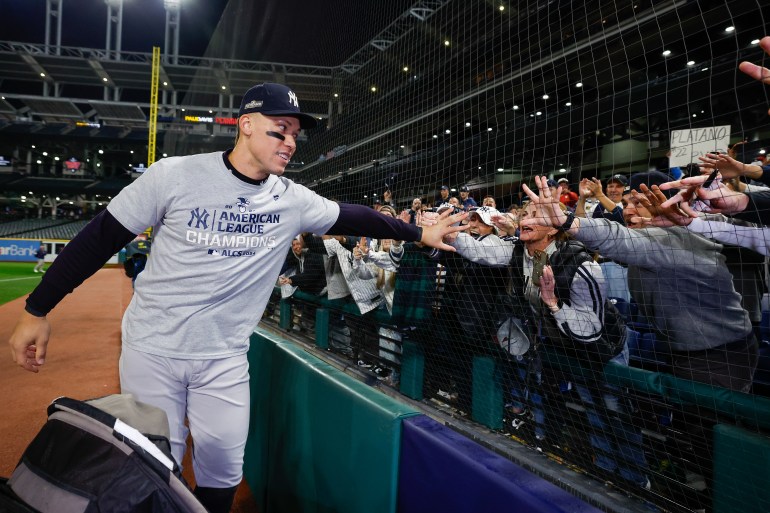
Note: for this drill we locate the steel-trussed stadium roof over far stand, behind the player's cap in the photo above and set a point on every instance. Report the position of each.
(81, 73)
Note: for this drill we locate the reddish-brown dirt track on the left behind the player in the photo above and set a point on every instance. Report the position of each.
(84, 351)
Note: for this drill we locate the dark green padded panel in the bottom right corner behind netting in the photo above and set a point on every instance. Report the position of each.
(741, 471)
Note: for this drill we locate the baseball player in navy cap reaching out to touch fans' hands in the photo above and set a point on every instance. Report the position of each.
(222, 224)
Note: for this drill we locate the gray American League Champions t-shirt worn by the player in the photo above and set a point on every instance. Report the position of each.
(218, 247)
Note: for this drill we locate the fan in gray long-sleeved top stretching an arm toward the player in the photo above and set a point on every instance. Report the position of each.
(681, 283)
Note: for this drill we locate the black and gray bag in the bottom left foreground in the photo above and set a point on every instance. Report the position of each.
(106, 454)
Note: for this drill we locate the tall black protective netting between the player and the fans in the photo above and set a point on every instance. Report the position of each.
(482, 96)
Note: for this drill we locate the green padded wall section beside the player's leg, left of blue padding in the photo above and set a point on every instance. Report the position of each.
(319, 440)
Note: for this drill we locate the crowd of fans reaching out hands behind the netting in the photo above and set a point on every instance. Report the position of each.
(553, 272)
